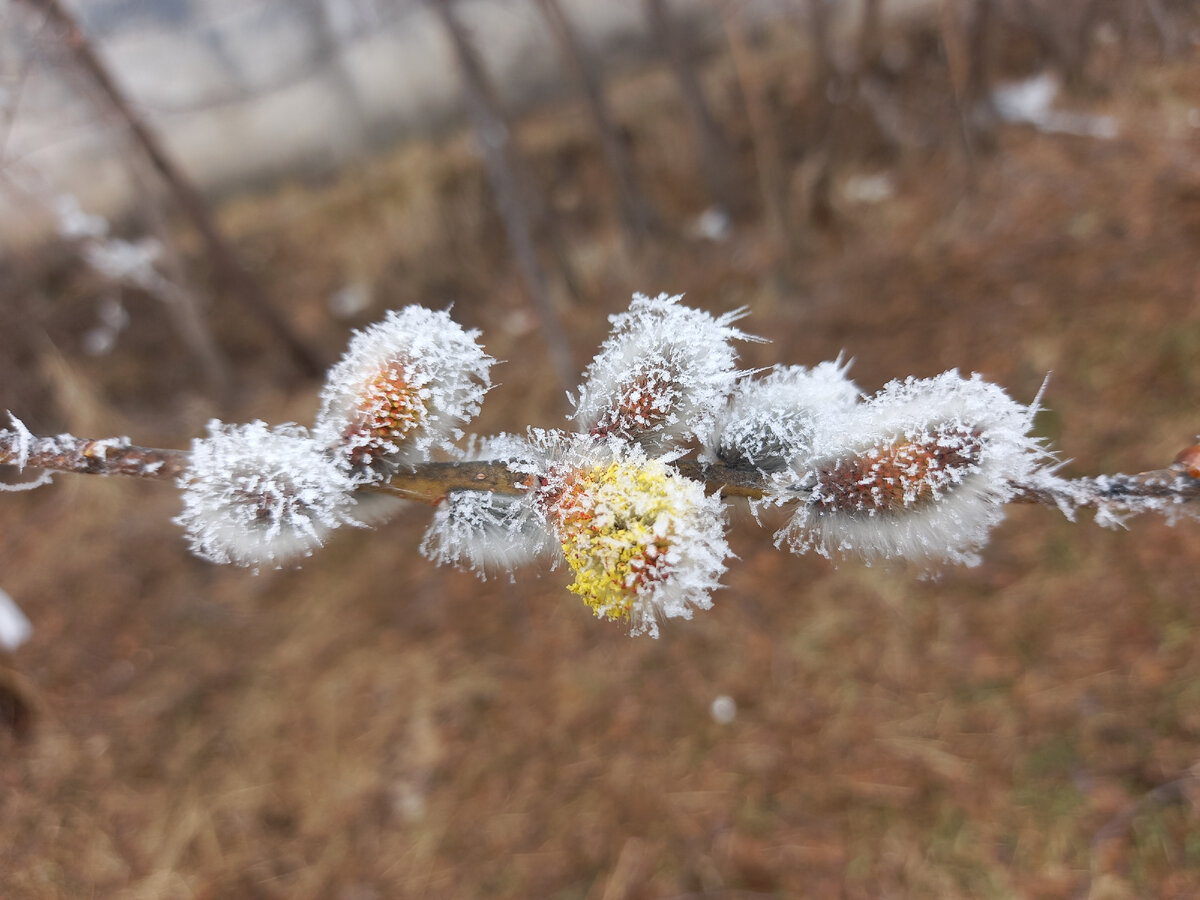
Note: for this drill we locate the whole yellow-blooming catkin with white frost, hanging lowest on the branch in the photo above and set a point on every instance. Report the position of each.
(644, 542)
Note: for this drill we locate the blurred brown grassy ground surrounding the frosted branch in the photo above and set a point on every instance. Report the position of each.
(371, 727)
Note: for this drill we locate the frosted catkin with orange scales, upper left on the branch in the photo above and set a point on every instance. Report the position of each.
(404, 388)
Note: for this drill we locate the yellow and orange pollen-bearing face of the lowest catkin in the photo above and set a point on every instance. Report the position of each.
(616, 524)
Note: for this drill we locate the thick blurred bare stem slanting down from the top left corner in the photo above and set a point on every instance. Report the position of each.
(225, 261)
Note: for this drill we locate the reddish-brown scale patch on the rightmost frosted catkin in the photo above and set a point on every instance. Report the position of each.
(899, 476)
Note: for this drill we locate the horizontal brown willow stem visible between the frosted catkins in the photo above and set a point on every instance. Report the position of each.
(431, 482)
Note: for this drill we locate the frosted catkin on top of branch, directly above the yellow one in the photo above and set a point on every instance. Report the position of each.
(662, 376)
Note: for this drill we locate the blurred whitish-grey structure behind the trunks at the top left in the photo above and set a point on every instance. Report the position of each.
(244, 91)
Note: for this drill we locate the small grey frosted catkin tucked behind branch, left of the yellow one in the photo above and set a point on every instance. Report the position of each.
(489, 532)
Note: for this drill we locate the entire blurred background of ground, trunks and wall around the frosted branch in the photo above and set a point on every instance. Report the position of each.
(201, 200)
